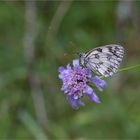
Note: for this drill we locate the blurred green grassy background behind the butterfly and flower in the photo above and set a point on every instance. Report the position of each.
(36, 37)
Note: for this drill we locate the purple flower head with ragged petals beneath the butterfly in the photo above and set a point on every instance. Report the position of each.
(75, 84)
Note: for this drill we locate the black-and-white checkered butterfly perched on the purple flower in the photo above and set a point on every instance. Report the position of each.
(104, 60)
